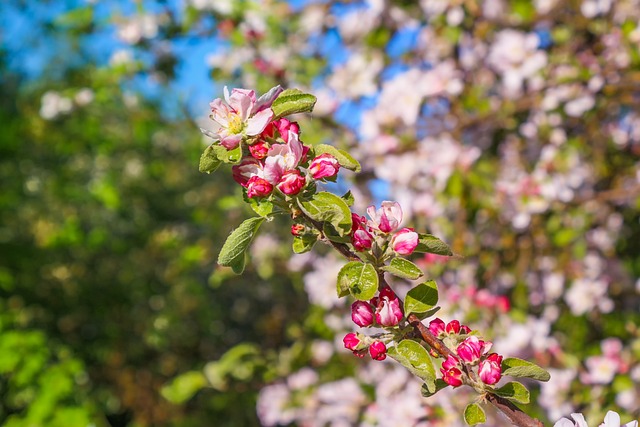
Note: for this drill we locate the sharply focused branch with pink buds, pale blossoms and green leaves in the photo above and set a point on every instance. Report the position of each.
(279, 175)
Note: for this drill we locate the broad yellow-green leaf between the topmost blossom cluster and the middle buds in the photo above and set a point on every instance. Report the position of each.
(328, 207)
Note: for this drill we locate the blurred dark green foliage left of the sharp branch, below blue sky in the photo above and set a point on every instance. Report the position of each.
(108, 235)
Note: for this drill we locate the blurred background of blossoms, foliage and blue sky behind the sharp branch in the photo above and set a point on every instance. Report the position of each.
(510, 129)
